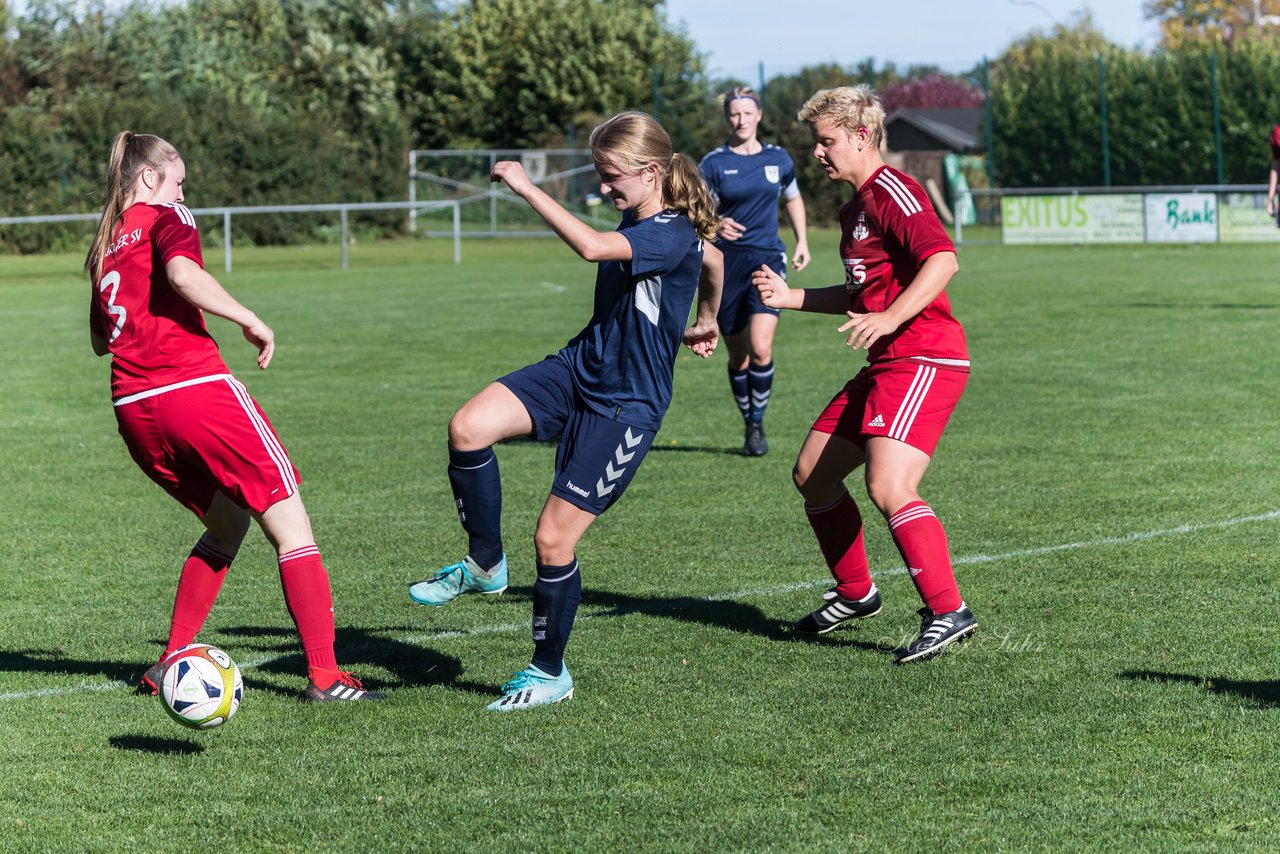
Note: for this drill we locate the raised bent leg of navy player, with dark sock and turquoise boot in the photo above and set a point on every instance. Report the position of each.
(488, 418)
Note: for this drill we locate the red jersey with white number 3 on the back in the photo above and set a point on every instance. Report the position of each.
(157, 339)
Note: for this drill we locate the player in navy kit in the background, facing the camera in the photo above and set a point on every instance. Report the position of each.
(747, 177)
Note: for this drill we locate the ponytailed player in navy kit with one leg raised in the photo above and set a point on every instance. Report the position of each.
(605, 394)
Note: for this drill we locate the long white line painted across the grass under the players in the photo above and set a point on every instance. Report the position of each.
(1139, 537)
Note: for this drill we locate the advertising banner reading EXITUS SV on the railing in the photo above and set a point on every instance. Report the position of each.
(1073, 220)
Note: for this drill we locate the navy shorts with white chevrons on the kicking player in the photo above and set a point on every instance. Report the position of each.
(597, 456)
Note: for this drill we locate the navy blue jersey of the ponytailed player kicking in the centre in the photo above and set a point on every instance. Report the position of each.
(624, 359)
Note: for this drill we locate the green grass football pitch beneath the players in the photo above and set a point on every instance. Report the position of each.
(1109, 486)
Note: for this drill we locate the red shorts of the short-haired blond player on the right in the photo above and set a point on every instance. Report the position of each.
(904, 400)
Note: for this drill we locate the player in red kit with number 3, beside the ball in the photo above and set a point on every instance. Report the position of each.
(188, 423)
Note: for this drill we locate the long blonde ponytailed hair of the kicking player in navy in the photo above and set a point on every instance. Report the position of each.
(636, 141)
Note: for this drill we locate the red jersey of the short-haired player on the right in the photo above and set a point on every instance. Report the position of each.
(889, 231)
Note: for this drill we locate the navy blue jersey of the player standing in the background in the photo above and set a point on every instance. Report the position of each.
(747, 189)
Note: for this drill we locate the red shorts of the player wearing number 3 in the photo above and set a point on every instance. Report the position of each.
(198, 439)
